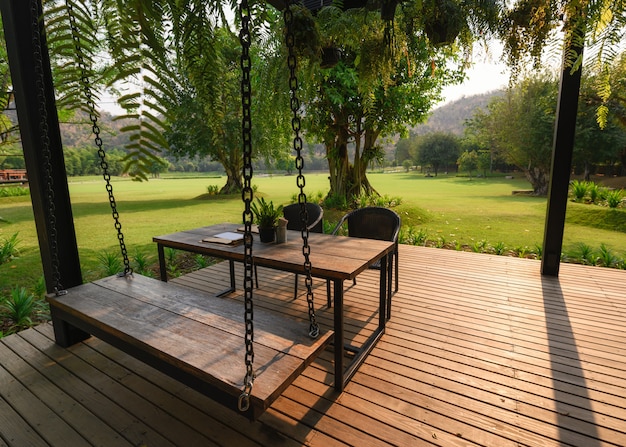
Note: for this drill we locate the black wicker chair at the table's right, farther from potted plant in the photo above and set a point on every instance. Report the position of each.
(375, 223)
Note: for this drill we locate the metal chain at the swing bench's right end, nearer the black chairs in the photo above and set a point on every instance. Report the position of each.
(314, 329)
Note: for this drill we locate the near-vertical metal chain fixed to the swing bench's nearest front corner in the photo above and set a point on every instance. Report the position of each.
(247, 196)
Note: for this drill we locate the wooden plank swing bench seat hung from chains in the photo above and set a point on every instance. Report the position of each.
(193, 337)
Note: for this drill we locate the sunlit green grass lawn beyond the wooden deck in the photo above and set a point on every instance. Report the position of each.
(453, 209)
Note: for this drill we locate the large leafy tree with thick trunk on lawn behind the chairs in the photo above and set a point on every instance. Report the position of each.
(377, 89)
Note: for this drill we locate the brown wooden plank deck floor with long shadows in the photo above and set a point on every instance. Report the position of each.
(480, 350)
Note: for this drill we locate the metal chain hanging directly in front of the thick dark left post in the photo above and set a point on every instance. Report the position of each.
(45, 149)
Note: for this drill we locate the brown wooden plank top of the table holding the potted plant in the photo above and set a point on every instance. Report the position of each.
(332, 257)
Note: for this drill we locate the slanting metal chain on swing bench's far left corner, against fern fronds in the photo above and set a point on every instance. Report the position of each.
(93, 117)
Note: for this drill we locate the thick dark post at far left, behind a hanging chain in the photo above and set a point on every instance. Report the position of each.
(17, 17)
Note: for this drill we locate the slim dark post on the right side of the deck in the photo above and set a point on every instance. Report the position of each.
(562, 150)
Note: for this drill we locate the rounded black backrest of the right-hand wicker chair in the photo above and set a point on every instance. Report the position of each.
(373, 223)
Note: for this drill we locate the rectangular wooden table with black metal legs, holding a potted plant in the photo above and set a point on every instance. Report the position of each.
(334, 258)
